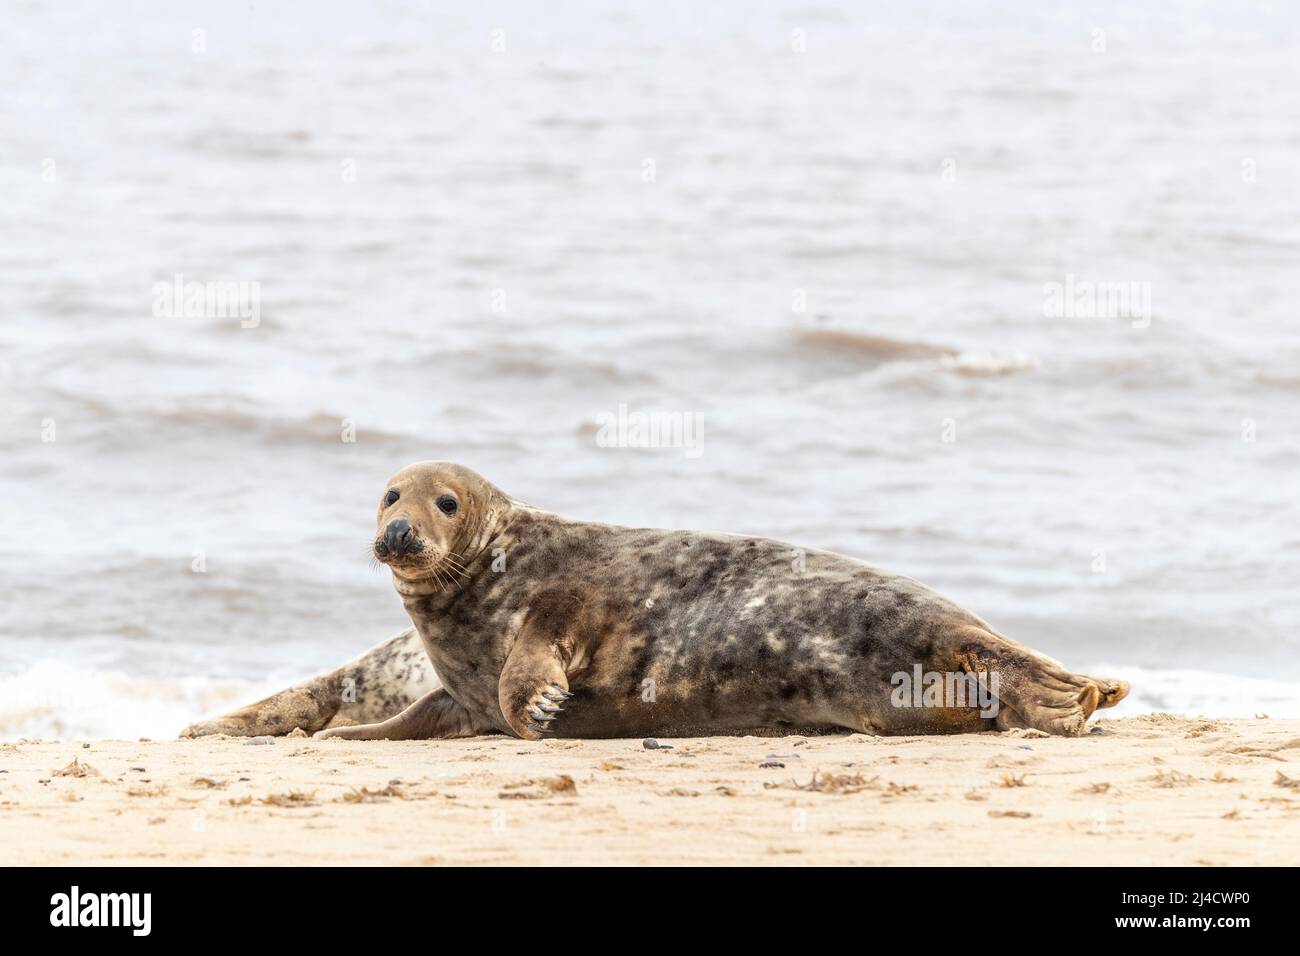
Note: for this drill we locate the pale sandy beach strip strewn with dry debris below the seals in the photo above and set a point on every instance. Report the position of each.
(1149, 790)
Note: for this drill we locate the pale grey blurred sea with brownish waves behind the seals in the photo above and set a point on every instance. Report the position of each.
(825, 230)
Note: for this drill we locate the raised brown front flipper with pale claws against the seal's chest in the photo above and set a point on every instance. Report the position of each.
(534, 685)
